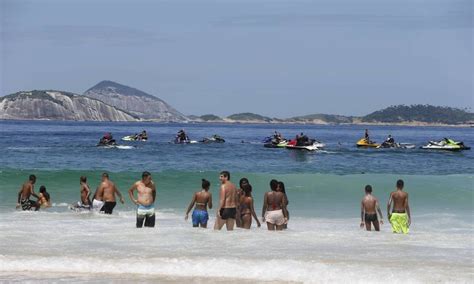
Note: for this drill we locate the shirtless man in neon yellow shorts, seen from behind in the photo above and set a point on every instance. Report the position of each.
(400, 217)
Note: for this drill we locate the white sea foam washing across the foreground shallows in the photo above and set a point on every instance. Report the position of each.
(312, 250)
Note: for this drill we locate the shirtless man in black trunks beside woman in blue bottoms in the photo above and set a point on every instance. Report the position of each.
(228, 203)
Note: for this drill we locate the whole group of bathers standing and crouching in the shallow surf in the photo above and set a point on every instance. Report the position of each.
(235, 205)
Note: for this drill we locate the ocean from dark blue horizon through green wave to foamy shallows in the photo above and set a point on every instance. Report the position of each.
(323, 243)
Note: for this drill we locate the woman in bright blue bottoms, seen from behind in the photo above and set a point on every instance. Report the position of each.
(203, 200)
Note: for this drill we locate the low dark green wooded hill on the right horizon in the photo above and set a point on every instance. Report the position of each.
(420, 113)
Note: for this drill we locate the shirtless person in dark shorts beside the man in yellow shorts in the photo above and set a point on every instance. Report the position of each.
(368, 207)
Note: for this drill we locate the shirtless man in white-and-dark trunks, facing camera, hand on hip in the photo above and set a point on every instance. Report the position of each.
(145, 200)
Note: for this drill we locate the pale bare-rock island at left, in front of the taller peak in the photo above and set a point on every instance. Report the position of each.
(58, 105)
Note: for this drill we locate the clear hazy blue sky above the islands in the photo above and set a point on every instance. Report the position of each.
(275, 58)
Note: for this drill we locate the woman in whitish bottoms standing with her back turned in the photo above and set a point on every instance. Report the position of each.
(273, 211)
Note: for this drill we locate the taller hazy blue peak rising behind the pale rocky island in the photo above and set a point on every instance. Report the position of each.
(137, 102)
